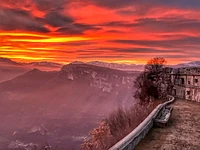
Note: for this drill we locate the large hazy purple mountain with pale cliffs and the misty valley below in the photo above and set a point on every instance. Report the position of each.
(60, 107)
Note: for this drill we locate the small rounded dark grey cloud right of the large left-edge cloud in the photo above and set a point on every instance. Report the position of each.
(58, 20)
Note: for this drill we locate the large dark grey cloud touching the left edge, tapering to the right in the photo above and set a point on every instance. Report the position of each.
(17, 19)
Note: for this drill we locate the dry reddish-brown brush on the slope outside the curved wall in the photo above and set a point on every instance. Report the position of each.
(117, 126)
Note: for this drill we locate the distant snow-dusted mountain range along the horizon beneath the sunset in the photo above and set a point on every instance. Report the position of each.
(10, 69)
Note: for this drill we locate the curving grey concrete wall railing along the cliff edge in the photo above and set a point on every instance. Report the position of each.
(132, 139)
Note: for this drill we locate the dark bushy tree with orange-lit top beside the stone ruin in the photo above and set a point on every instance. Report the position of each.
(148, 83)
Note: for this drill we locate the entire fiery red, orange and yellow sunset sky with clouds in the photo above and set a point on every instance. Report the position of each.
(130, 31)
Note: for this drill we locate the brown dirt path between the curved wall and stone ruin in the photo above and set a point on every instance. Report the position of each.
(182, 132)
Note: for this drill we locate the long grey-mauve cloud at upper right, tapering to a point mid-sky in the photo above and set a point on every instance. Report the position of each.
(159, 25)
